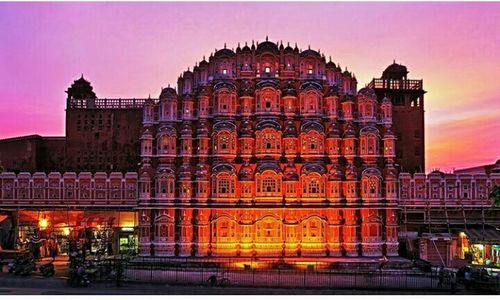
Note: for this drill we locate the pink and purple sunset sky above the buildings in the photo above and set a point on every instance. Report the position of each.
(133, 49)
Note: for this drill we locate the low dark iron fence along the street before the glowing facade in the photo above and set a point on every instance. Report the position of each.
(276, 274)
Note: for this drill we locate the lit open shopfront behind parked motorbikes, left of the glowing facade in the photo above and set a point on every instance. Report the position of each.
(98, 232)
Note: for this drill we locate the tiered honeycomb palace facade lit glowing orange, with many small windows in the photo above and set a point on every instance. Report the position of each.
(267, 151)
